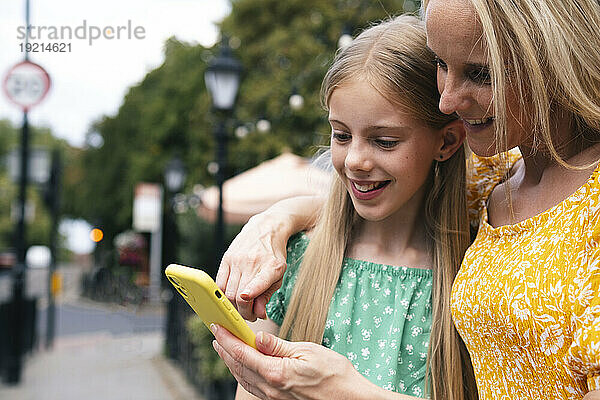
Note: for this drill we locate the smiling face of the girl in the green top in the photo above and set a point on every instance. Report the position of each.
(383, 156)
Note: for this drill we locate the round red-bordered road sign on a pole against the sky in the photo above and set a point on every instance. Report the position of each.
(26, 84)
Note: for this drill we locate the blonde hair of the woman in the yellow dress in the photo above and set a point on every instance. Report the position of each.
(549, 52)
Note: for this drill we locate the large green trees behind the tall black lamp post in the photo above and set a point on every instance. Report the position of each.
(283, 45)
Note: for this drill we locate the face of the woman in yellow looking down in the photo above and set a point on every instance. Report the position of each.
(456, 37)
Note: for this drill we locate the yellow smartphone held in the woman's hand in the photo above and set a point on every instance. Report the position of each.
(208, 301)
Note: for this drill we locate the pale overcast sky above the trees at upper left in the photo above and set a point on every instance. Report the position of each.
(91, 80)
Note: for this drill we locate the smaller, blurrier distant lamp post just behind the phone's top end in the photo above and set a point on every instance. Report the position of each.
(174, 176)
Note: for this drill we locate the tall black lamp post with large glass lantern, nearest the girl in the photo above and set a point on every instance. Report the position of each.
(222, 79)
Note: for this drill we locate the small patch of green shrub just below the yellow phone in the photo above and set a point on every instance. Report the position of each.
(209, 366)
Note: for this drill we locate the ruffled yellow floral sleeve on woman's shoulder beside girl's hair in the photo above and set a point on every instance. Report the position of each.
(485, 173)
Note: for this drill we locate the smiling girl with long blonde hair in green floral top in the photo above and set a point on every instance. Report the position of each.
(372, 280)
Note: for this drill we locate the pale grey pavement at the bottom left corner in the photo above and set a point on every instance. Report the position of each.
(102, 367)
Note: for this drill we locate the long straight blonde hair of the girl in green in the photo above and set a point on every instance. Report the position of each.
(393, 57)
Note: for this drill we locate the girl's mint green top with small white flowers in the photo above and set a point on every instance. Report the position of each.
(379, 318)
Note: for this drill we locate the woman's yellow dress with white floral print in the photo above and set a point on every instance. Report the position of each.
(526, 300)
